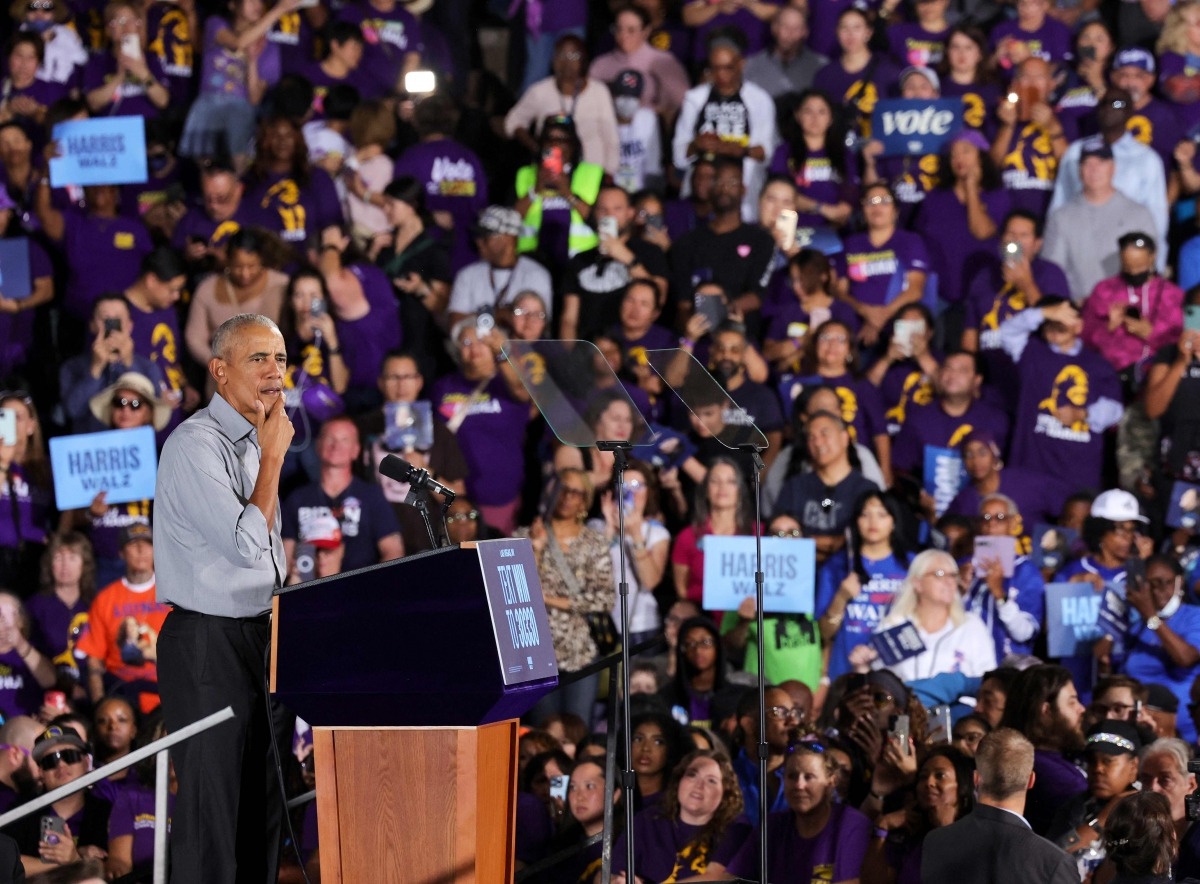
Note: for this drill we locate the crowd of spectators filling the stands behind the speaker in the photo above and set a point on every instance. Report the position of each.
(991, 347)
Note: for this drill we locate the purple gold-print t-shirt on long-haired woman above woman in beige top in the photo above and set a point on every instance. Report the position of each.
(292, 211)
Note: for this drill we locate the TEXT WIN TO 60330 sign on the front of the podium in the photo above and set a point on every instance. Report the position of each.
(519, 614)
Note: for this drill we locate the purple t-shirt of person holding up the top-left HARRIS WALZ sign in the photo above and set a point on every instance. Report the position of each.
(104, 255)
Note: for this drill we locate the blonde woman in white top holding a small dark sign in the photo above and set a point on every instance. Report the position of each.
(955, 640)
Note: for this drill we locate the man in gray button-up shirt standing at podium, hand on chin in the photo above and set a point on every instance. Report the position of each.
(219, 557)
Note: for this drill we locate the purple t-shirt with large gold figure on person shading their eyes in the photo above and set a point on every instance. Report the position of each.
(1048, 381)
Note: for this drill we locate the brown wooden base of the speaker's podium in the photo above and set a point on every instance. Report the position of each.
(417, 805)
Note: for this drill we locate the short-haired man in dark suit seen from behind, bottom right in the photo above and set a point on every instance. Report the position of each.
(994, 844)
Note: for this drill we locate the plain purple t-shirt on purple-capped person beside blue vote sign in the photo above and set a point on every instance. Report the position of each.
(955, 252)
